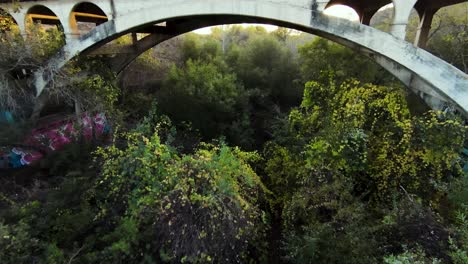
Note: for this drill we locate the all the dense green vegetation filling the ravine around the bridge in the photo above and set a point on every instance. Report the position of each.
(243, 146)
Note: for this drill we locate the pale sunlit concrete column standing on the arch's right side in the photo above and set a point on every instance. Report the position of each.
(402, 10)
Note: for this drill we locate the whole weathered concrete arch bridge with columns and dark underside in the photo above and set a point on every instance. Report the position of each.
(436, 81)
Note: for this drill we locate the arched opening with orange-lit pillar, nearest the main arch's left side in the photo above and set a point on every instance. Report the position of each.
(86, 16)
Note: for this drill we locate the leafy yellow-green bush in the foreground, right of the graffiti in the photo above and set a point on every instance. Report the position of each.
(200, 207)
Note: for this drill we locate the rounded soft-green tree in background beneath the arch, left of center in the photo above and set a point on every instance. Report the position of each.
(209, 97)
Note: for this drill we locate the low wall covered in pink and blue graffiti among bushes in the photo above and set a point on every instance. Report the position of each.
(53, 136)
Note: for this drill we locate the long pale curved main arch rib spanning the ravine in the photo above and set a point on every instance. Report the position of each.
(415, 67)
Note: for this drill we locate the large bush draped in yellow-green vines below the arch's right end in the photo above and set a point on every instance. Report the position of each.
(358, 152)
